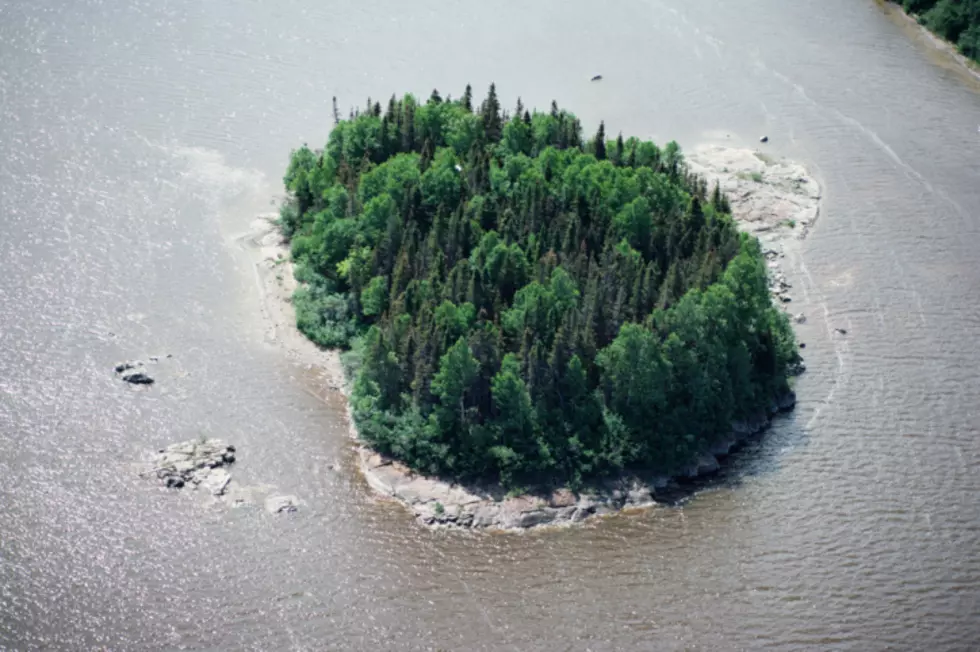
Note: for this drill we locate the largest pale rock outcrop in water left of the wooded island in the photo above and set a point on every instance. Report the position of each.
(198, 463)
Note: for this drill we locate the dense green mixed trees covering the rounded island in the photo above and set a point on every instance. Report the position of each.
(523, 305)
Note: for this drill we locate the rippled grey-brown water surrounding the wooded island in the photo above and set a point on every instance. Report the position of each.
(138, 140)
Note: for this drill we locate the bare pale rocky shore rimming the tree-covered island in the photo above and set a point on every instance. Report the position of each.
(776, 200)
